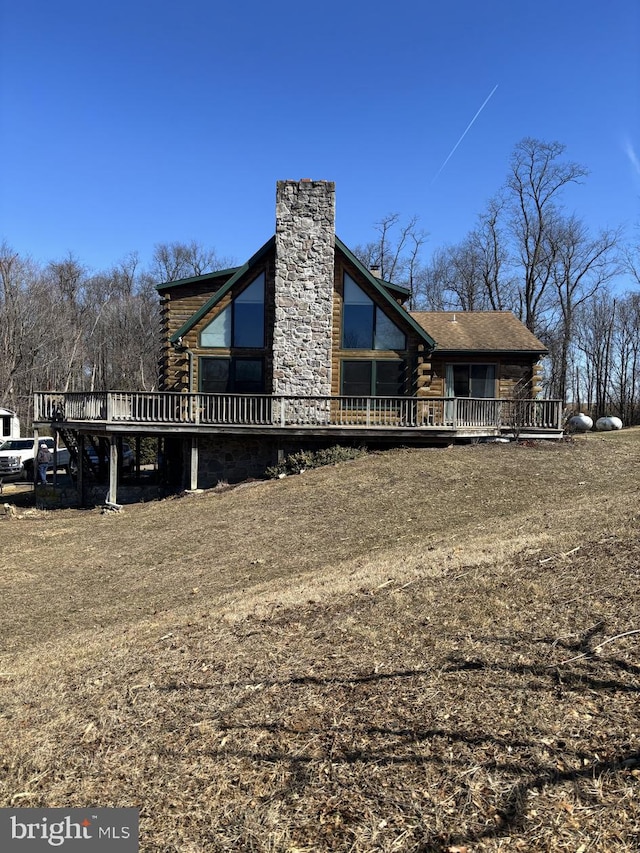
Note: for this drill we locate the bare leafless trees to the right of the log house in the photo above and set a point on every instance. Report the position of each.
(528, 255)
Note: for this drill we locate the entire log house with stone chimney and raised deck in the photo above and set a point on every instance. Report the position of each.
(303, 347)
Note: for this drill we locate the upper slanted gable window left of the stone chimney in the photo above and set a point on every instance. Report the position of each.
(240, 324)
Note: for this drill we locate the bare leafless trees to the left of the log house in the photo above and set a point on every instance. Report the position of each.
(65, 328)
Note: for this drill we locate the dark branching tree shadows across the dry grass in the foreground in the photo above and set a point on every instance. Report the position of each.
(416, 746)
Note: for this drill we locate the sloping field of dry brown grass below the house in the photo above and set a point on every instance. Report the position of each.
(419, 650)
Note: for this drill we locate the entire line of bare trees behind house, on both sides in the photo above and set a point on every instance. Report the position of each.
(66, 328)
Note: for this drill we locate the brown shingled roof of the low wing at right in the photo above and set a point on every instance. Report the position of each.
(479, 331)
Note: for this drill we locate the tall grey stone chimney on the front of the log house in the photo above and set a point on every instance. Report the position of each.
(305, 241)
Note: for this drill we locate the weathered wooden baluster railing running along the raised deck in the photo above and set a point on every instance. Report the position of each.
(262, 410)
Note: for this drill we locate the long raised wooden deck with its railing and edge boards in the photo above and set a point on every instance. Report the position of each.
(403, 418)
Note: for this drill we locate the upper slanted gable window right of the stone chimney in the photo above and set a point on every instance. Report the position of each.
(365, 325)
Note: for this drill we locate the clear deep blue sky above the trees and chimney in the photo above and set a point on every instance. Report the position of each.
(130, 122)
